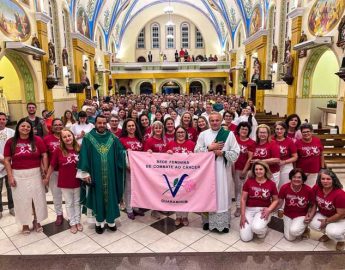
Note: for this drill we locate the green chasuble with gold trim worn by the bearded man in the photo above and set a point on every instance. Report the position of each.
(103, 157)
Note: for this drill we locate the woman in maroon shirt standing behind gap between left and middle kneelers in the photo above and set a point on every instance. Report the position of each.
(287, 150)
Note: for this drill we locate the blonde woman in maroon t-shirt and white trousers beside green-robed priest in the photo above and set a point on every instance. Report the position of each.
(65, 160)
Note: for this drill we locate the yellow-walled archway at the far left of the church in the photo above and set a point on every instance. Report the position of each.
(17, 84)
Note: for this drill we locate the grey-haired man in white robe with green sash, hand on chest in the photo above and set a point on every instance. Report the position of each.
(226, 150)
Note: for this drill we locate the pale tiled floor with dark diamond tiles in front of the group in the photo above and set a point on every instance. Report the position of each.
(144, 235)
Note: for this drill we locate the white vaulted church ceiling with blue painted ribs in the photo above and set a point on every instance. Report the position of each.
(114, 17)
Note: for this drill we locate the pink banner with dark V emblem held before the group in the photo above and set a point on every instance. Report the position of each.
(177, 182)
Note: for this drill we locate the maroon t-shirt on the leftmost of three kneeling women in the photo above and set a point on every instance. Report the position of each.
(259, 195)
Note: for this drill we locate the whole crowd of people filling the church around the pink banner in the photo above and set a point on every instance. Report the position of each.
(279, 171)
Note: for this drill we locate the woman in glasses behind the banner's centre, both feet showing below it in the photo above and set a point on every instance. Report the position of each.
(181, 144)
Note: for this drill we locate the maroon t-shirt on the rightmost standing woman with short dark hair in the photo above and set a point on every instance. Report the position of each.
(309, 155)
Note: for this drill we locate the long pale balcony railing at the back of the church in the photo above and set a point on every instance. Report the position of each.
(170, 67)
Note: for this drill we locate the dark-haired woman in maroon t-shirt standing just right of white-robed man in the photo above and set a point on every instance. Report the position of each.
(242, 164)
